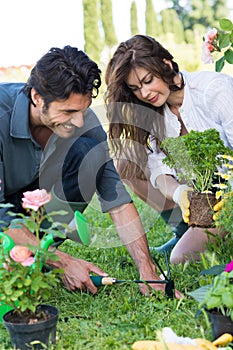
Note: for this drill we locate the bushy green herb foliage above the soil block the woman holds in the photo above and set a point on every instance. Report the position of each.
(195, 157)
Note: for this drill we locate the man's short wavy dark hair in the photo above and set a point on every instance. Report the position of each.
(61, 72)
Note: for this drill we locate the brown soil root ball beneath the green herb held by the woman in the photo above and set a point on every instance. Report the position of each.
(201, 209)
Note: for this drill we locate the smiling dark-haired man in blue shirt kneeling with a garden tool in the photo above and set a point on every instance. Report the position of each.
(50, 138)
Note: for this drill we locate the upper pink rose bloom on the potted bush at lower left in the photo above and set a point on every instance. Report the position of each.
(35, 199)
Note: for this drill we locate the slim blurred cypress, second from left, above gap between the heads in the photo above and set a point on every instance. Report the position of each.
(107, 22)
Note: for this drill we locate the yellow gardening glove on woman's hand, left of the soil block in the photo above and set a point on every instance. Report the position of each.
(180, 197)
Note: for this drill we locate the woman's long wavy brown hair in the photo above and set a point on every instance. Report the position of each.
(131, 121)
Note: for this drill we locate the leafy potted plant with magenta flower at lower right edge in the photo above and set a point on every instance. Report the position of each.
(217, 299)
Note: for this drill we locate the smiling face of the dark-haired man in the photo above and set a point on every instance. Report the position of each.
(62, 117)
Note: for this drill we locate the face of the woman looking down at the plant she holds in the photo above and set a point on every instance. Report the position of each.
(147, 87)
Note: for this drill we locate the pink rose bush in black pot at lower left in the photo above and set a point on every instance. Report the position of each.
(25, 284)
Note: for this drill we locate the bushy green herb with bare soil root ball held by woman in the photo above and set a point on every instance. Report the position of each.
(195, 156)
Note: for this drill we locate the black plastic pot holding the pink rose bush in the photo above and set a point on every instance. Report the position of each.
(24, 335)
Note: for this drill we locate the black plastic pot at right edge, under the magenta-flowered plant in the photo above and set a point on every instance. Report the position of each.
(220, 324)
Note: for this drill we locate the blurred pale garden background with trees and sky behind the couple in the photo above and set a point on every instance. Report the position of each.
(97, 27)
